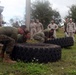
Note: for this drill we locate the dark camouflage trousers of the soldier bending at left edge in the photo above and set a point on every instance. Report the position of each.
(8, 44)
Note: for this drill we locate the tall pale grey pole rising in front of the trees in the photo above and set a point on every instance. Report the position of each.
(28, 13)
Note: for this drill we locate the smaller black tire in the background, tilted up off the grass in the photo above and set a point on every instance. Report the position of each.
(63, 42)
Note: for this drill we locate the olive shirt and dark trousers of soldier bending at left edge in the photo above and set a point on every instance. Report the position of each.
(7, 36)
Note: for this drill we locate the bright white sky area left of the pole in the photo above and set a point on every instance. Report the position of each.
(13, 8)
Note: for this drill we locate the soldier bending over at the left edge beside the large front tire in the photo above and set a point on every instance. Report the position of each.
(8, 37)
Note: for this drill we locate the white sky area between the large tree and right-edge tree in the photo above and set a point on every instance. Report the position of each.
(62, 6)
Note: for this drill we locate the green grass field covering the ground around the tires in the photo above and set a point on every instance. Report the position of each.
(66, 66)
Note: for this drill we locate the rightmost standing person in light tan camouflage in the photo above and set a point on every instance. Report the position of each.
(71, 28)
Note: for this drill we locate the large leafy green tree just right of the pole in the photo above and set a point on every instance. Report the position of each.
(43, 11)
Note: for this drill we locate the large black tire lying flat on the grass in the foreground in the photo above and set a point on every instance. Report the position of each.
(42, 53)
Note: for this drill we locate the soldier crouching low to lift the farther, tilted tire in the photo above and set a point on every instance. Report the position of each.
(42, 36)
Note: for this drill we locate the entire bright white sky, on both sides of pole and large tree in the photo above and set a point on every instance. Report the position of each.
(16, 8)
